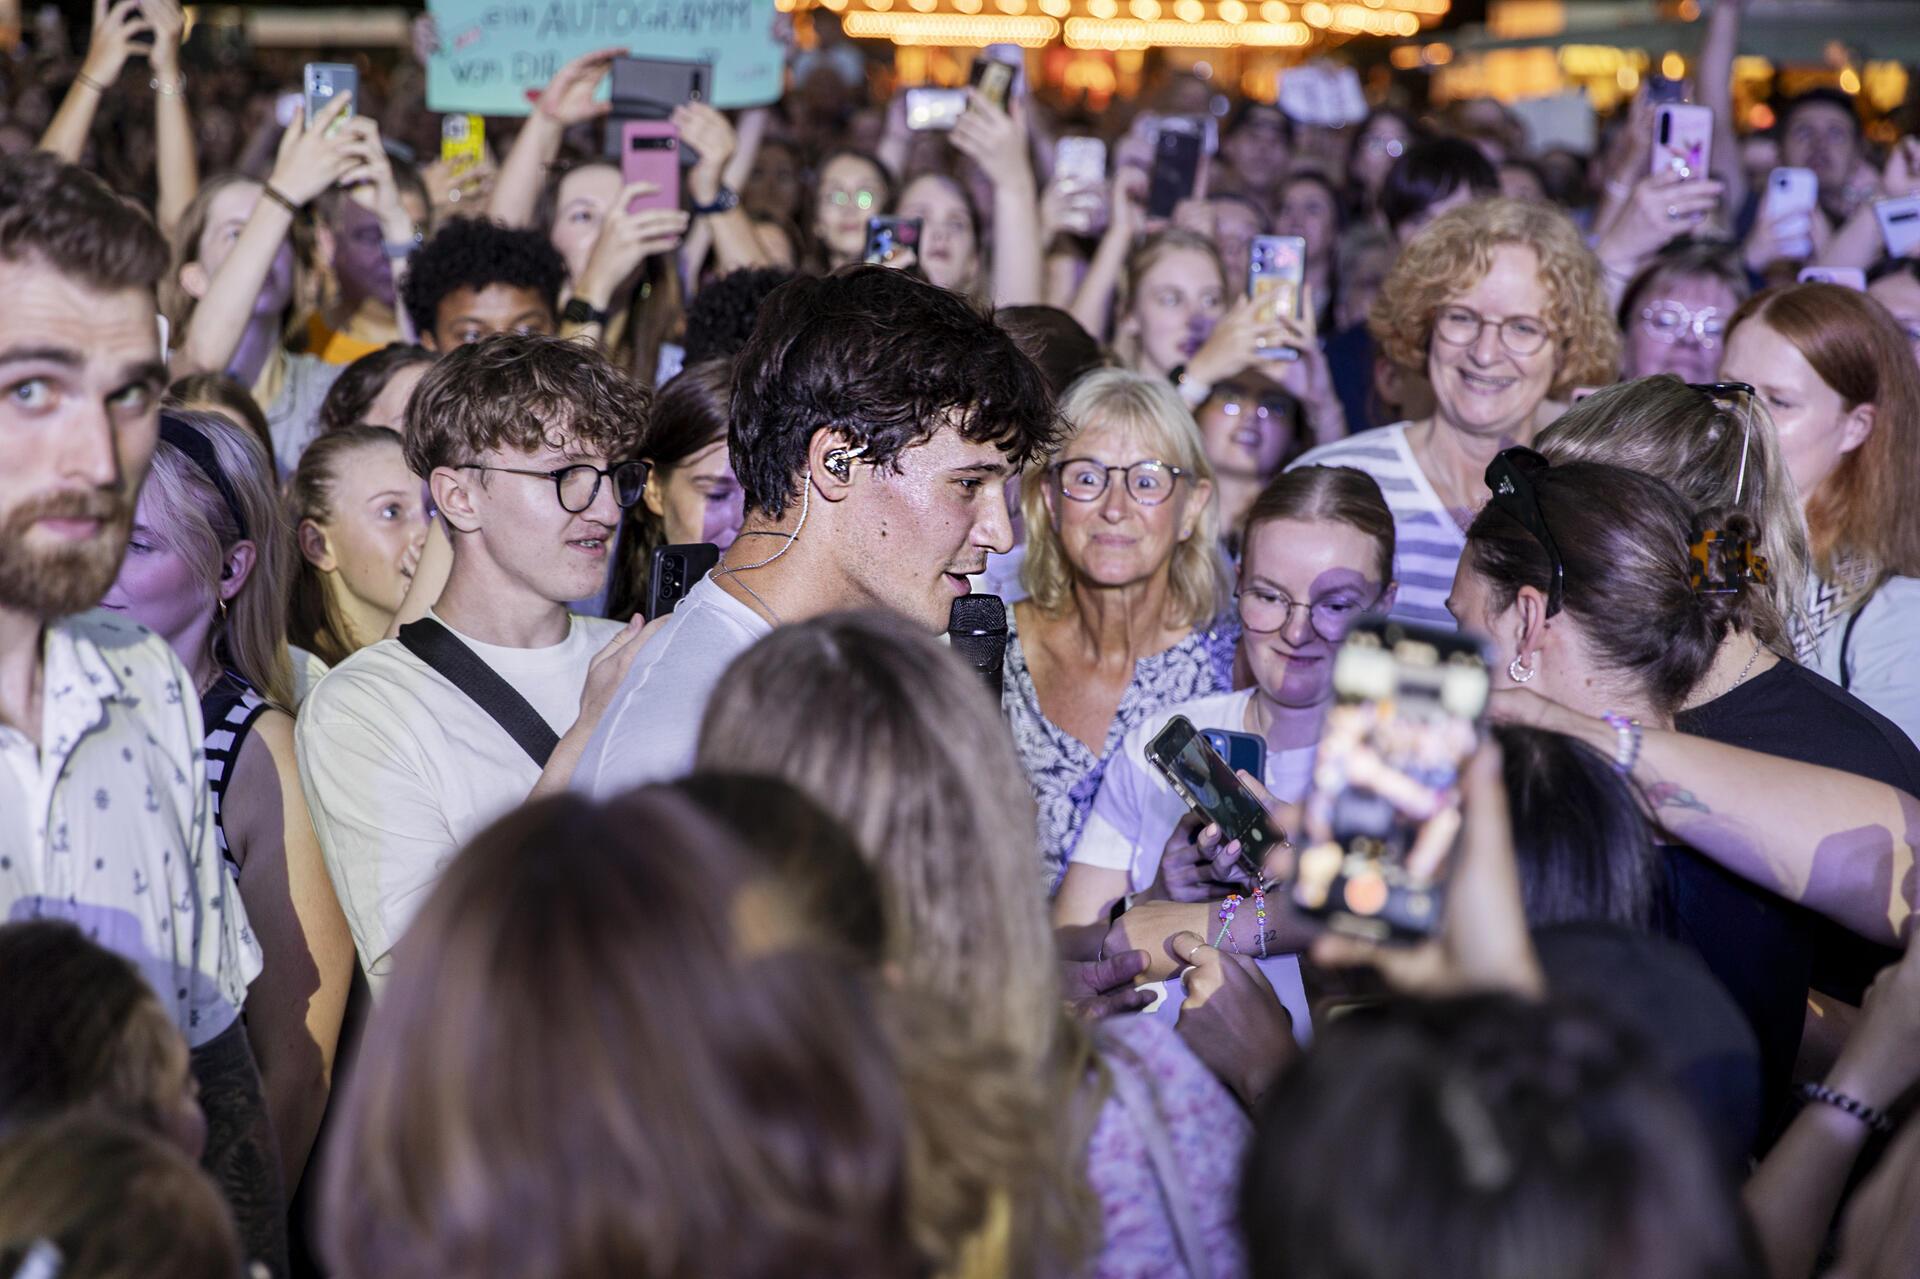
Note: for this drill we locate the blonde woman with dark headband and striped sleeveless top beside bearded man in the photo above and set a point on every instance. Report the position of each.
(208, 569)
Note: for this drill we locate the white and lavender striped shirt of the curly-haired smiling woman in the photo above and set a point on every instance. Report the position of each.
(1428, 541)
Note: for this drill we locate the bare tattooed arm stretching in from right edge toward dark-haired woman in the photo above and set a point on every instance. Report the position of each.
(1835, 842)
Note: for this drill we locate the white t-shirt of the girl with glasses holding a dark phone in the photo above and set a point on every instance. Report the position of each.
(1136, 813)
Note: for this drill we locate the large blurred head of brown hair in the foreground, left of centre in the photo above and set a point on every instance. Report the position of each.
(610, 1051)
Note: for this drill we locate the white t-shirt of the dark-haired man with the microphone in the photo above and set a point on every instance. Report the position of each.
(654, 725)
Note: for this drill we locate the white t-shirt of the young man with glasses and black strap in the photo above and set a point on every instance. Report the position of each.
(402, 769)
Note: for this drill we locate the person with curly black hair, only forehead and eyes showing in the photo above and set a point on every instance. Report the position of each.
(475, 279)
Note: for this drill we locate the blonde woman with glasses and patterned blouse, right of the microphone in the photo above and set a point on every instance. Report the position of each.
(1126, 604)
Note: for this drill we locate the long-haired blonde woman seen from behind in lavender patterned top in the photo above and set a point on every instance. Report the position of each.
(890, 735)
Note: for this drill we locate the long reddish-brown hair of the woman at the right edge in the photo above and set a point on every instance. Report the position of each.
(1863, 512)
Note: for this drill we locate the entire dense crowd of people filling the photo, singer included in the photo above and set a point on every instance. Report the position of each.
(418, 863)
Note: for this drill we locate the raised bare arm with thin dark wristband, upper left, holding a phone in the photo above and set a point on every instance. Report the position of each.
(310, 162)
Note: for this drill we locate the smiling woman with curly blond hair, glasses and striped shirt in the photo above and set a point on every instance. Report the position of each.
(1502, 308)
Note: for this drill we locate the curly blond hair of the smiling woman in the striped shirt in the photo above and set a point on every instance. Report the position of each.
(1458, 249)
